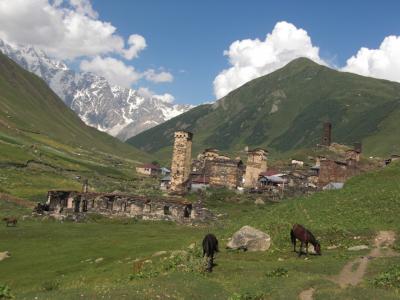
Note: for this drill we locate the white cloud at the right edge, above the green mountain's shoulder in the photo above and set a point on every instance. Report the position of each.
(381, 63)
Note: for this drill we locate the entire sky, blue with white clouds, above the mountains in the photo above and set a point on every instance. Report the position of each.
(198, 51)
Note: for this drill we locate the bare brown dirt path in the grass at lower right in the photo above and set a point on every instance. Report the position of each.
(354, 271)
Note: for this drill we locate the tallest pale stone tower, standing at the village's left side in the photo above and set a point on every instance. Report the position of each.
(181, 161)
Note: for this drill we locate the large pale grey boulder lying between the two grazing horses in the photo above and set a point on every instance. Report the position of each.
(250, 239)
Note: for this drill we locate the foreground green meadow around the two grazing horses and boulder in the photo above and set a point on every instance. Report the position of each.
(58, 260)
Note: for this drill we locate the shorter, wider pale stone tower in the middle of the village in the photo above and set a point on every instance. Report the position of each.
(256, 163)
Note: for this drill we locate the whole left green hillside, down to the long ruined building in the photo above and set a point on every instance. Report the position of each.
(44, 145)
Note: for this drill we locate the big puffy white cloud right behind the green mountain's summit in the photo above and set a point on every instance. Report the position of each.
(250, 59)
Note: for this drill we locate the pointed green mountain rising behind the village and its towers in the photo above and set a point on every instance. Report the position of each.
(285, 110)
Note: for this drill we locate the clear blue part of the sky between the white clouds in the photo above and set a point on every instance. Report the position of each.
(188, 38)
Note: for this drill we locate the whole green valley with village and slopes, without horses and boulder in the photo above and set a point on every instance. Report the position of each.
(129, 244)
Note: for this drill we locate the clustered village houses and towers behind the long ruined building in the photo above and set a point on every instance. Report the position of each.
(212, 169)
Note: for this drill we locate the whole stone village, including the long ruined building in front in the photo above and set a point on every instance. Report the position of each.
(210, 169)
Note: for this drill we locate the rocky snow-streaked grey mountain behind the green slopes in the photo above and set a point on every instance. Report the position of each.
(119, 111)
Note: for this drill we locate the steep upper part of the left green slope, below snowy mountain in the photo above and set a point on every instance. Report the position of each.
(28, 104)
